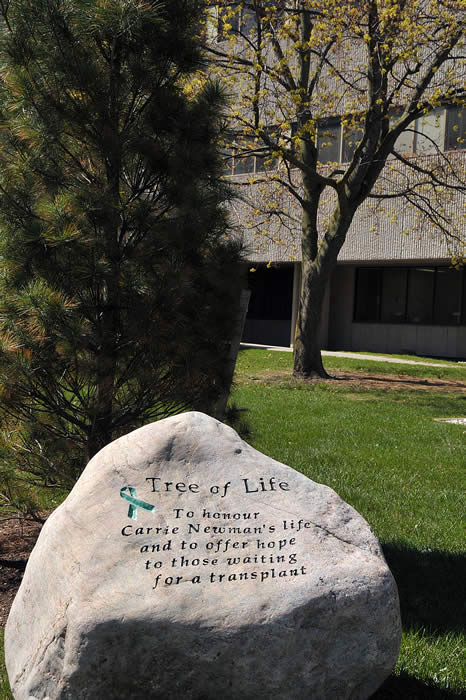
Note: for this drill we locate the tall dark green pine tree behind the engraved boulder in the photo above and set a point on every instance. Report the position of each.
(116, 280)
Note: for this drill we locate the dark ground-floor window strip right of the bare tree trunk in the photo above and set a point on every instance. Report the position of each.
(416, 295)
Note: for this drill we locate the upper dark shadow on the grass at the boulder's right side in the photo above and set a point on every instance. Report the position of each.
(430, 585)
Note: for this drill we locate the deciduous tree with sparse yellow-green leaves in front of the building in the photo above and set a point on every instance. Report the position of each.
(377, 68)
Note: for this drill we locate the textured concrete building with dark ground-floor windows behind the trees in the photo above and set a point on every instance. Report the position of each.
(396, 286)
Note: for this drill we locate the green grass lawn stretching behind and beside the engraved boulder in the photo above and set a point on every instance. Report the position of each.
(382, 451)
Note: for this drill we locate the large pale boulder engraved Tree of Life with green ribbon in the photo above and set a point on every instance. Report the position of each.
(88, 622)
